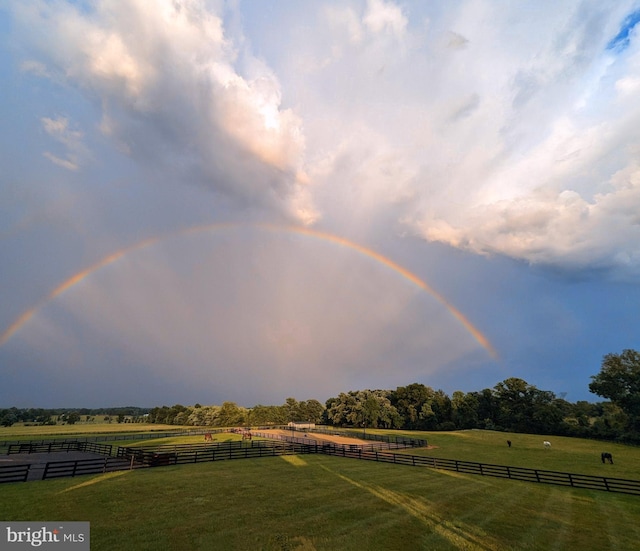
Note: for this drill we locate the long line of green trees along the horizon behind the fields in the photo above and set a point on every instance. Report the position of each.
(511, 405)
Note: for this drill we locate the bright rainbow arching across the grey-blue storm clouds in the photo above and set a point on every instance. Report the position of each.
(332, 238)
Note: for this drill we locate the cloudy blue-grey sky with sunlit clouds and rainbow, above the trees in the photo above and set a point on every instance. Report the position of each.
(204, 201)
